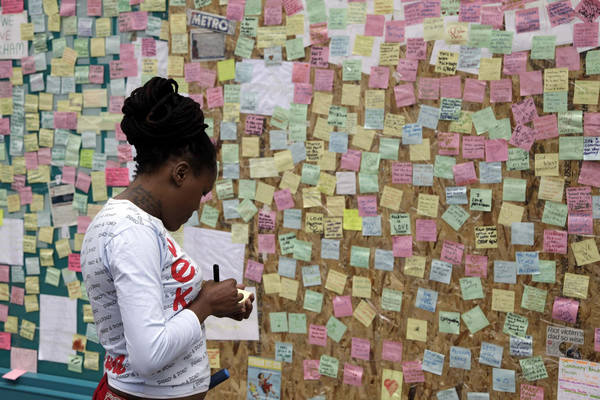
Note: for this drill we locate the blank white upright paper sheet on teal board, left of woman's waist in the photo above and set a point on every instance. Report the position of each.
(58, 323)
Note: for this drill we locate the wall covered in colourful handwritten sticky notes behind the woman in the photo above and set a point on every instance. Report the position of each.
(416, 183)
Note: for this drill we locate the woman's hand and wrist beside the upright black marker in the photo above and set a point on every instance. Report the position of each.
(220, 299)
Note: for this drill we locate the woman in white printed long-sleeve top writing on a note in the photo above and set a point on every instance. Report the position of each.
(147, 294)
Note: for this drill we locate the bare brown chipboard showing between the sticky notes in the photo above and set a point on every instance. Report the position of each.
(392, 325)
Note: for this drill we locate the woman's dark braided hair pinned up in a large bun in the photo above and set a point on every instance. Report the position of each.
(161, 123)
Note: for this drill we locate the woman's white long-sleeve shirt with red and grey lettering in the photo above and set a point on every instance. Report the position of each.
(139, 281)
